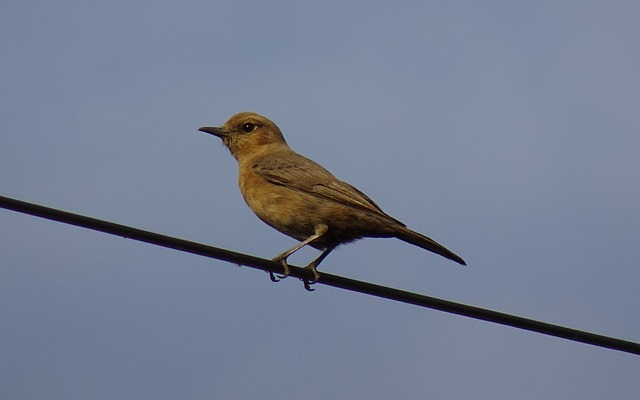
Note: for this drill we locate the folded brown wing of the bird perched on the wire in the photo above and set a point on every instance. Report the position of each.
(300, 173)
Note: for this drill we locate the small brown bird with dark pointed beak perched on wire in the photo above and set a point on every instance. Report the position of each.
(301, 199)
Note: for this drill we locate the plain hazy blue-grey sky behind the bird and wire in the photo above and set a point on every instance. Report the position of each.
(508, 131)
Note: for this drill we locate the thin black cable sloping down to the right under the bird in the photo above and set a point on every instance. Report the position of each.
(327, 279)
